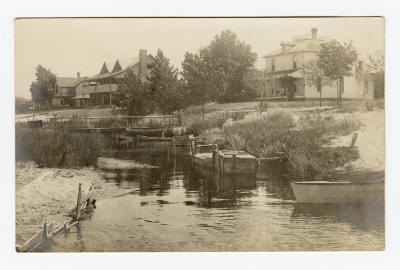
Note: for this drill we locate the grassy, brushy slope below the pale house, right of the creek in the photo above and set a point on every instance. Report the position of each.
(305, 137)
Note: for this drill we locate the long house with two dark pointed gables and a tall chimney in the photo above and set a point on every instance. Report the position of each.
(98, 89)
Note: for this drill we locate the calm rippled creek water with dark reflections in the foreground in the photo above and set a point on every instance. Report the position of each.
(171, 208)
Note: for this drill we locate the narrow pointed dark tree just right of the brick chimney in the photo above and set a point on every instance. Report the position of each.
(164, 85)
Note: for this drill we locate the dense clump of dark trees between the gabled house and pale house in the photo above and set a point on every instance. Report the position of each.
(220, 72)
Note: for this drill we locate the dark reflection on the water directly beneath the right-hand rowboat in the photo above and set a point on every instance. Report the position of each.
(365, 217)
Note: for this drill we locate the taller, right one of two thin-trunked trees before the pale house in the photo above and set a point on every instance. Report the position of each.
(336, 60)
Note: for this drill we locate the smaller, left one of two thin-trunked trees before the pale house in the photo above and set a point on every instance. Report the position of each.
(315, 77)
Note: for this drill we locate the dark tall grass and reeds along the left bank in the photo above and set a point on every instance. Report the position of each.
(57, 147)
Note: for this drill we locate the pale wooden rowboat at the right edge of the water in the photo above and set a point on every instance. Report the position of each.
(340, 192)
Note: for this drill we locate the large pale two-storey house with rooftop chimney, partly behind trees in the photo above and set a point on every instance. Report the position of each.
(284, 69)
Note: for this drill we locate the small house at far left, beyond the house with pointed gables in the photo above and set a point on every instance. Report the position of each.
(65, 90)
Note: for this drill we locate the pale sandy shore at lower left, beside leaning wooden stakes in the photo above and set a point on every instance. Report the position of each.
(46, 195)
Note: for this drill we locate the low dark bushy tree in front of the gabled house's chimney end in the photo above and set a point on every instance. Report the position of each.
(133, 95)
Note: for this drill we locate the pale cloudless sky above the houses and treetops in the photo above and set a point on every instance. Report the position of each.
(71, 45)
